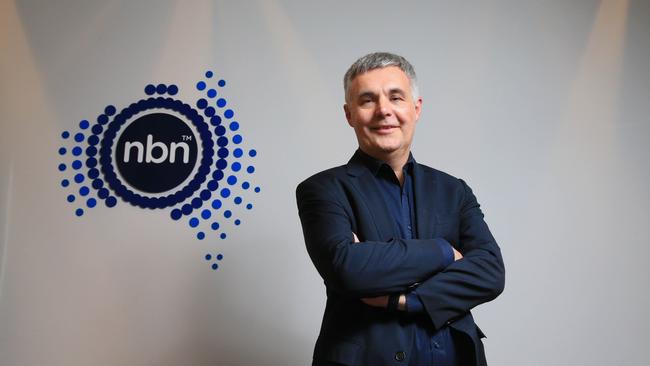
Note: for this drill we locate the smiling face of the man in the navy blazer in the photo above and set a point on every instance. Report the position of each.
(382, 111)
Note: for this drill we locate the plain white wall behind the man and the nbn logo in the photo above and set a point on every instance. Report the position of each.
(540, 105)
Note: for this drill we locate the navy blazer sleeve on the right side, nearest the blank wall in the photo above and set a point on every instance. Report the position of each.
(477, 278)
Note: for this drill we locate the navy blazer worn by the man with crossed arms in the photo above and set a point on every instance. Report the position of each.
(340, 201)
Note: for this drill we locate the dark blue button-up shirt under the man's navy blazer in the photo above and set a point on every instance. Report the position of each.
(432, 347)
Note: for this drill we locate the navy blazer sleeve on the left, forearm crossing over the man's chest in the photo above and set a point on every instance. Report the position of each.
(369, 268)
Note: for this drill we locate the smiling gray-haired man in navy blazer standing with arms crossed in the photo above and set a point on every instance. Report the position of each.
(403, 248)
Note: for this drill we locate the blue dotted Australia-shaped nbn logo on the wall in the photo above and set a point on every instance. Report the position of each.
(162, 153)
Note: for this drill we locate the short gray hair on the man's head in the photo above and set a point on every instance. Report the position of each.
(378, 60)
